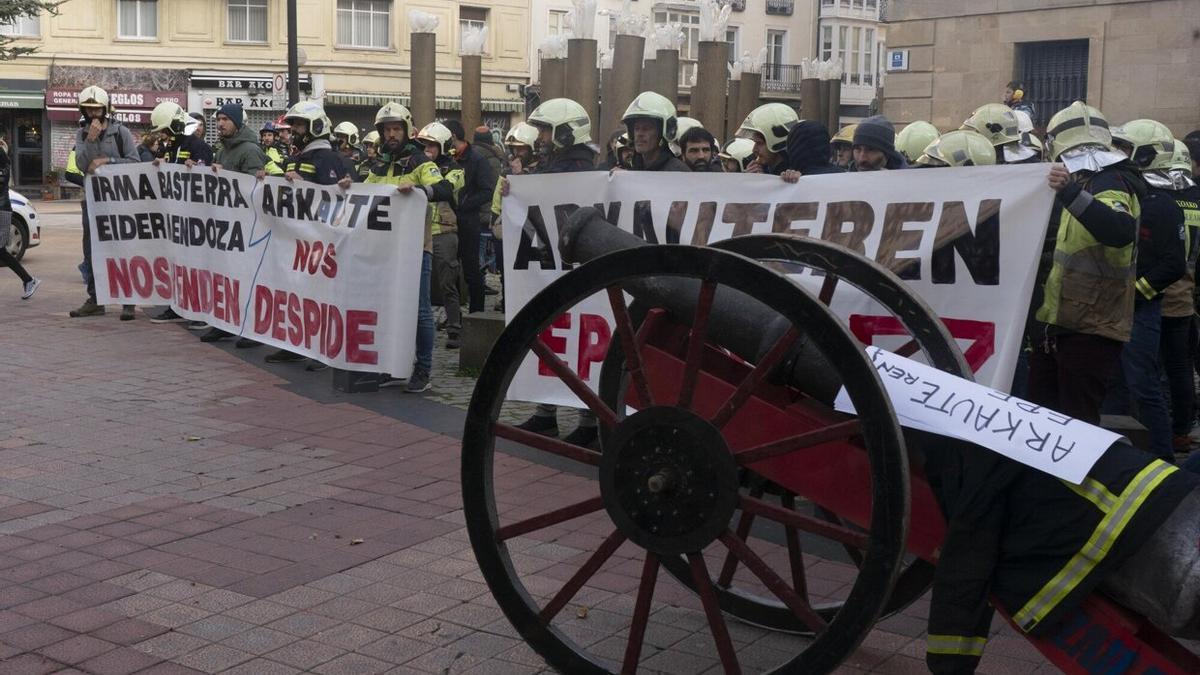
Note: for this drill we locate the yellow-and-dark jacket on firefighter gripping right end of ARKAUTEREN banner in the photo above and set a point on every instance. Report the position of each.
(1091, 280)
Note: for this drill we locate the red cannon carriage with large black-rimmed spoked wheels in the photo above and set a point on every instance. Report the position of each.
(723, 467)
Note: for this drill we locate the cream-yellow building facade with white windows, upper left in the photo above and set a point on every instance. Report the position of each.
(205, 53)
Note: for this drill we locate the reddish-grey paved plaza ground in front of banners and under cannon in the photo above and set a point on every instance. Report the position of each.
(170, 507)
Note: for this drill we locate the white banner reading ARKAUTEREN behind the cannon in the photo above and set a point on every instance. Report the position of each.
(967, 240)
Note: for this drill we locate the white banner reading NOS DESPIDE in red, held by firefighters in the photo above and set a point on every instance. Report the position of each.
(314, 270)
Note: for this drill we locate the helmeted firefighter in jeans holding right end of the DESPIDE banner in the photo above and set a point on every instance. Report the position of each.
(404, 164)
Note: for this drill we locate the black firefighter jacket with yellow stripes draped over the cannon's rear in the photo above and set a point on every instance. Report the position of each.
(1036, 545)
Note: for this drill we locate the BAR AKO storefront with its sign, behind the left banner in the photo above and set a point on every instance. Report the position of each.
(254, 92)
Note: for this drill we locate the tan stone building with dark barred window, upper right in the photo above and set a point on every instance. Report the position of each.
(1131, 59)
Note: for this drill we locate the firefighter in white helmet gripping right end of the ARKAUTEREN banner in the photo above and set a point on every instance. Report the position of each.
(1085, 284)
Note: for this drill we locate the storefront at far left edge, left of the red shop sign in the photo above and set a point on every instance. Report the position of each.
(23, 126)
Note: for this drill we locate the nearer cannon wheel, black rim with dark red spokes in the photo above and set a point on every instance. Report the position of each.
(686, 525)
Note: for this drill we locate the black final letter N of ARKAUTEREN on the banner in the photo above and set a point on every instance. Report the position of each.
(980, 249)
